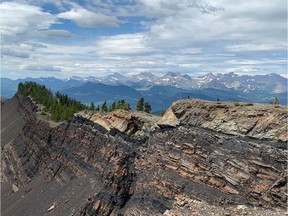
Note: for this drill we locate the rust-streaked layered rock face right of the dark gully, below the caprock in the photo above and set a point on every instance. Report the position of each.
(217, 167)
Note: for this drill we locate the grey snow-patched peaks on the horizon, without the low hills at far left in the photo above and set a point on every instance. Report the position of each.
(272, 83)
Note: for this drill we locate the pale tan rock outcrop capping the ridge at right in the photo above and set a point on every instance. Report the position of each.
(262, 121)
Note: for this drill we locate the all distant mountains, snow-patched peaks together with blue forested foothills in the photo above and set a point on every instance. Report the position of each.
(161, 91)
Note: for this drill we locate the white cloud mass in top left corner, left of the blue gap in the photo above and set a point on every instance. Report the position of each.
(21, 27)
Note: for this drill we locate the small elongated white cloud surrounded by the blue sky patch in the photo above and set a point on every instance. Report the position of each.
(88, 19)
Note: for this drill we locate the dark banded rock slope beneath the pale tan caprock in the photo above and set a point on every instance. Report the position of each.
(127, 176)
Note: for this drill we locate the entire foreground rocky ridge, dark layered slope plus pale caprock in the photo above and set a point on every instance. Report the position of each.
(129, 163)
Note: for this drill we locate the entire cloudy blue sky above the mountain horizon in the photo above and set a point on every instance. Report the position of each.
(64, 38)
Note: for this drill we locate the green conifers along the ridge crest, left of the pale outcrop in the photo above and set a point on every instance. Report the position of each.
(63, 107)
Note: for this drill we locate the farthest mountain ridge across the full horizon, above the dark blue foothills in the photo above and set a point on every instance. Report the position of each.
(229, 80)
